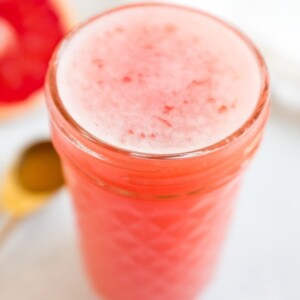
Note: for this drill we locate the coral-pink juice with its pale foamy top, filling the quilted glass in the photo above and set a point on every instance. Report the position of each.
(154, 79)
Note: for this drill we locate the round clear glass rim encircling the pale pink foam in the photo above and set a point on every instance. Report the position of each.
(243, 129)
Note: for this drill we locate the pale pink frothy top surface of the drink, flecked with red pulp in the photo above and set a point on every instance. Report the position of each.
(158, 79)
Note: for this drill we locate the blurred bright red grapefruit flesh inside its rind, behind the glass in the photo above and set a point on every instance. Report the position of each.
(29, 32)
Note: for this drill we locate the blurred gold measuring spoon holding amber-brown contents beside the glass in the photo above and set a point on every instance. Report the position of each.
(29, 184)
